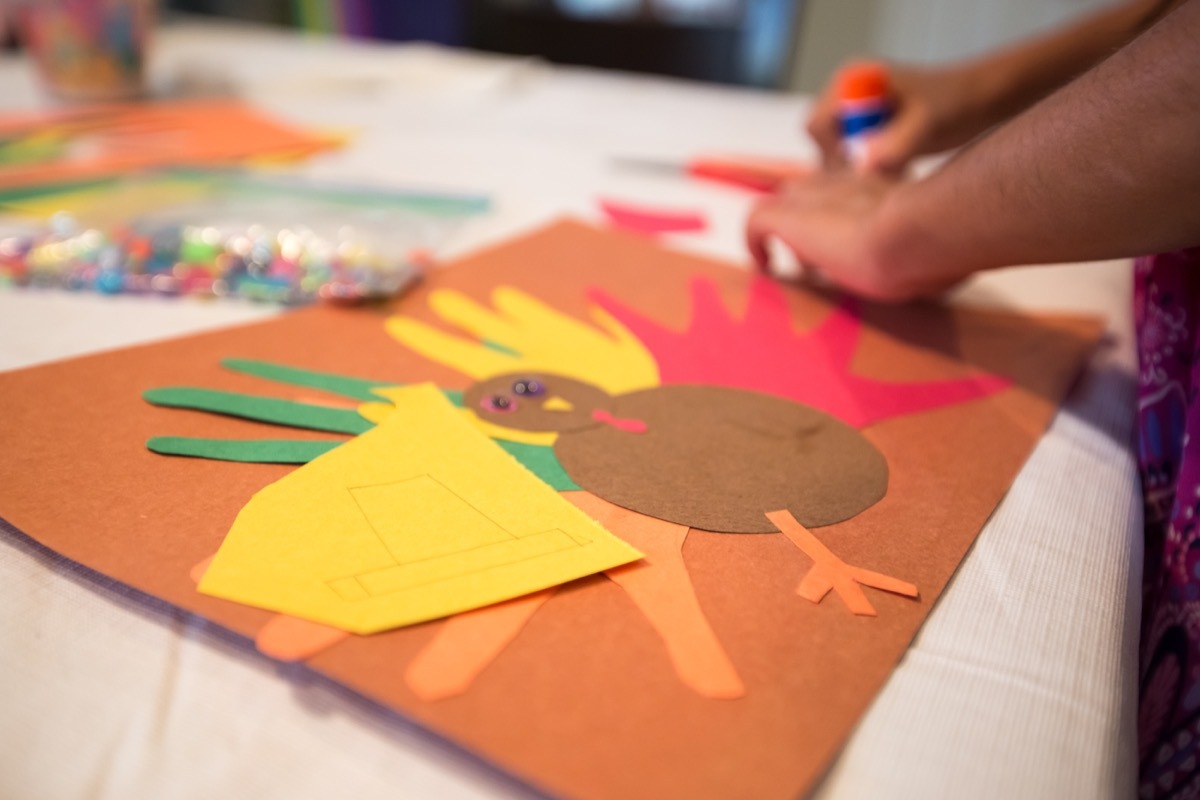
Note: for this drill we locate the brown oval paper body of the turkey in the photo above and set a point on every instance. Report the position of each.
(741, 454)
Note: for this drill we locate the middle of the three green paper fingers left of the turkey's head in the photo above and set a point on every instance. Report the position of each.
(262, 410)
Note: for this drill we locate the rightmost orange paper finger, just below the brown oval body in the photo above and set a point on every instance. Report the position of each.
(663, 591)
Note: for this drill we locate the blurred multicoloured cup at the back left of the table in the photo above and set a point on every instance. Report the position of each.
(91, 51)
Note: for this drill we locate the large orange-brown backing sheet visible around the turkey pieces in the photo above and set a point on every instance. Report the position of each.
(585, 701)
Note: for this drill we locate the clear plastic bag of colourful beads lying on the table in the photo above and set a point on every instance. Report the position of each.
(187, 233)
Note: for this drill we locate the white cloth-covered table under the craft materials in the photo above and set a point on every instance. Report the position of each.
(1022, 683)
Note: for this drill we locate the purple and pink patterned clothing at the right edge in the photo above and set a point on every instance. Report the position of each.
(1167, 312)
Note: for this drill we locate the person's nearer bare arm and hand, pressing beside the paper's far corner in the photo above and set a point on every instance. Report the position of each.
(1107, 167)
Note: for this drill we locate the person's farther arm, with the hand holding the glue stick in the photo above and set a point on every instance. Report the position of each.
(938, 109)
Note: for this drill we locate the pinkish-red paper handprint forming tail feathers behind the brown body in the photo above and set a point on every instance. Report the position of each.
(761, 352)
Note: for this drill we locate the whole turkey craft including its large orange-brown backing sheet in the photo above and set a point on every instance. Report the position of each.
(784, 464)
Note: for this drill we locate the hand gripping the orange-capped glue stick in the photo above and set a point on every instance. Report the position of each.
(933, 110)
